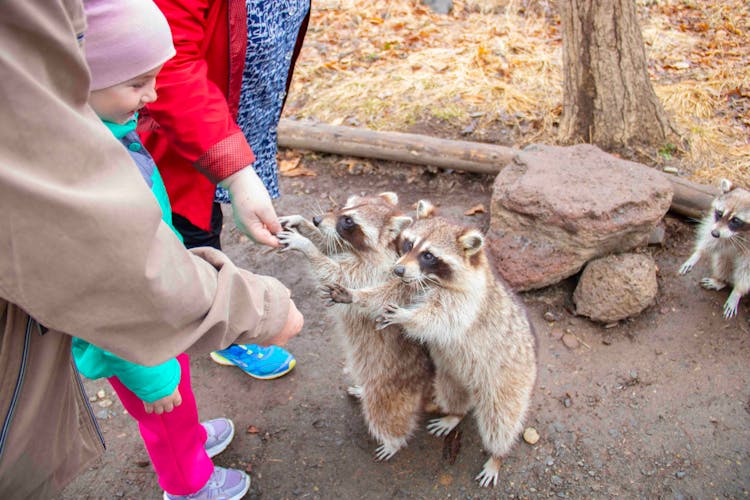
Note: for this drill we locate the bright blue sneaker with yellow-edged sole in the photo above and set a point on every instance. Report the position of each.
(259, 362)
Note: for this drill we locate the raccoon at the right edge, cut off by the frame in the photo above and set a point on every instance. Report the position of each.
(722, 236)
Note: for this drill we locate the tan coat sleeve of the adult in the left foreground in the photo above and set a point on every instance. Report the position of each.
(82, 245)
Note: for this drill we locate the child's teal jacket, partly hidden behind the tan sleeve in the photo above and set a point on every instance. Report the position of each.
(149, 383)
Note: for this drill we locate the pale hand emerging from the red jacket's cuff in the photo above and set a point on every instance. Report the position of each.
(253, 211)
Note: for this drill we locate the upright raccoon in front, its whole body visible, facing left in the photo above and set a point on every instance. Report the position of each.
(446, 295)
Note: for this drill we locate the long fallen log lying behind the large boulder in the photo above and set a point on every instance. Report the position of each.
(689, 199)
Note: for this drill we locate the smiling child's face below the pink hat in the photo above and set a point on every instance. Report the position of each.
(119, 102)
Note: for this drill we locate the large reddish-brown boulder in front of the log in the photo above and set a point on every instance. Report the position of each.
(555, 208)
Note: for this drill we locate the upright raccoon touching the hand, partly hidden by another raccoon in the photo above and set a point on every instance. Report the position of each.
(355, 246)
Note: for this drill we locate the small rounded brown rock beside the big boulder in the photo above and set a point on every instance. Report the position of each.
(616, 287)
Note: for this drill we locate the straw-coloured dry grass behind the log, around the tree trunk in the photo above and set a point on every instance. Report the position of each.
(495, 65)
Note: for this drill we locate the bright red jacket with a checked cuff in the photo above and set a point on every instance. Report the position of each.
(190, 130)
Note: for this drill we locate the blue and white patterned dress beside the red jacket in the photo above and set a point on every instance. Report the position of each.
(272, 29)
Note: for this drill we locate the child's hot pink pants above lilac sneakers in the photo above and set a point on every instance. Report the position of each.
(175, 441)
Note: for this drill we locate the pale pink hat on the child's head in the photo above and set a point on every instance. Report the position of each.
(124, 39)
